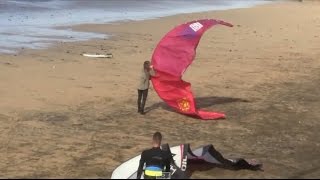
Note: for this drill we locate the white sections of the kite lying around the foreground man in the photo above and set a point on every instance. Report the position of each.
(128, 169)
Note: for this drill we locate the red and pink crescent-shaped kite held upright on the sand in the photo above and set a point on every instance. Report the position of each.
(172, 56)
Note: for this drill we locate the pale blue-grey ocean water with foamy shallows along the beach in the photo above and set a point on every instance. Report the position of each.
(33, 23)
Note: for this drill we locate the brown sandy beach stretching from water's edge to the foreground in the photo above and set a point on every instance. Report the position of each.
(63, 115)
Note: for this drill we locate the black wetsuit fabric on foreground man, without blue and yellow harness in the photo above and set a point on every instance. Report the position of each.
(154, 157)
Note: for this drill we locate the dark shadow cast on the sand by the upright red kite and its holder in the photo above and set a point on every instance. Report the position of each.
(201, 102)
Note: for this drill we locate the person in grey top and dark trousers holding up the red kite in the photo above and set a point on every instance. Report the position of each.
(144, 84)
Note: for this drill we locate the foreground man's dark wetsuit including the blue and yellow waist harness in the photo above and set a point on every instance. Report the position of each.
(156, 161)
